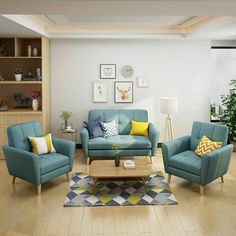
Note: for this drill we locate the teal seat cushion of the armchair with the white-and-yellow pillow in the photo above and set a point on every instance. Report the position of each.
(52, 161)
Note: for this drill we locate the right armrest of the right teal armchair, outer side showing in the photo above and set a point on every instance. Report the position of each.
(215, 164)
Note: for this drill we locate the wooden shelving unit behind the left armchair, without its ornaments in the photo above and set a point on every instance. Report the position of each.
(17, 57)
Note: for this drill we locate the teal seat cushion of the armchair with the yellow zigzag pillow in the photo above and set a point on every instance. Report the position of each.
(187, 161)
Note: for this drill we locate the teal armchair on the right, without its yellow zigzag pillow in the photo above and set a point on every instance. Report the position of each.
(180, 160)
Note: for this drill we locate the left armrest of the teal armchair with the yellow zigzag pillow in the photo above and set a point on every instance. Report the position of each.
(174, 147)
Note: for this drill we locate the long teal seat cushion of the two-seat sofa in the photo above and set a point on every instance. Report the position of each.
(122, 141)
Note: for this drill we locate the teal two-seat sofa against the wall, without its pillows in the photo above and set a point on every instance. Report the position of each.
(129, 145)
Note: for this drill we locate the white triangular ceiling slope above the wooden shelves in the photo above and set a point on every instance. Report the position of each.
(35, 23)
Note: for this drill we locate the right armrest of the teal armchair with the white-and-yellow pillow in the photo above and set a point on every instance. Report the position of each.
(65, 147)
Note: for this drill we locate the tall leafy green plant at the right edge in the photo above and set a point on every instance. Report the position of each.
(229, 115)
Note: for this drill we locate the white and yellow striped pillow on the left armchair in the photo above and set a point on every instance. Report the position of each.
(42, 145)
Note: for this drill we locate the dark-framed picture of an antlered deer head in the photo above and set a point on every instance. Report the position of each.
(123, 92)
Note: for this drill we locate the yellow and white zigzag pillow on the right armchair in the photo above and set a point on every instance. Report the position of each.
(206, 146)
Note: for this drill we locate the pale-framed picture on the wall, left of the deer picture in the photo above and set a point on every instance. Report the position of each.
(99, 91)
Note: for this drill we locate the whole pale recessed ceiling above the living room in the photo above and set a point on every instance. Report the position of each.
(170, 19)
